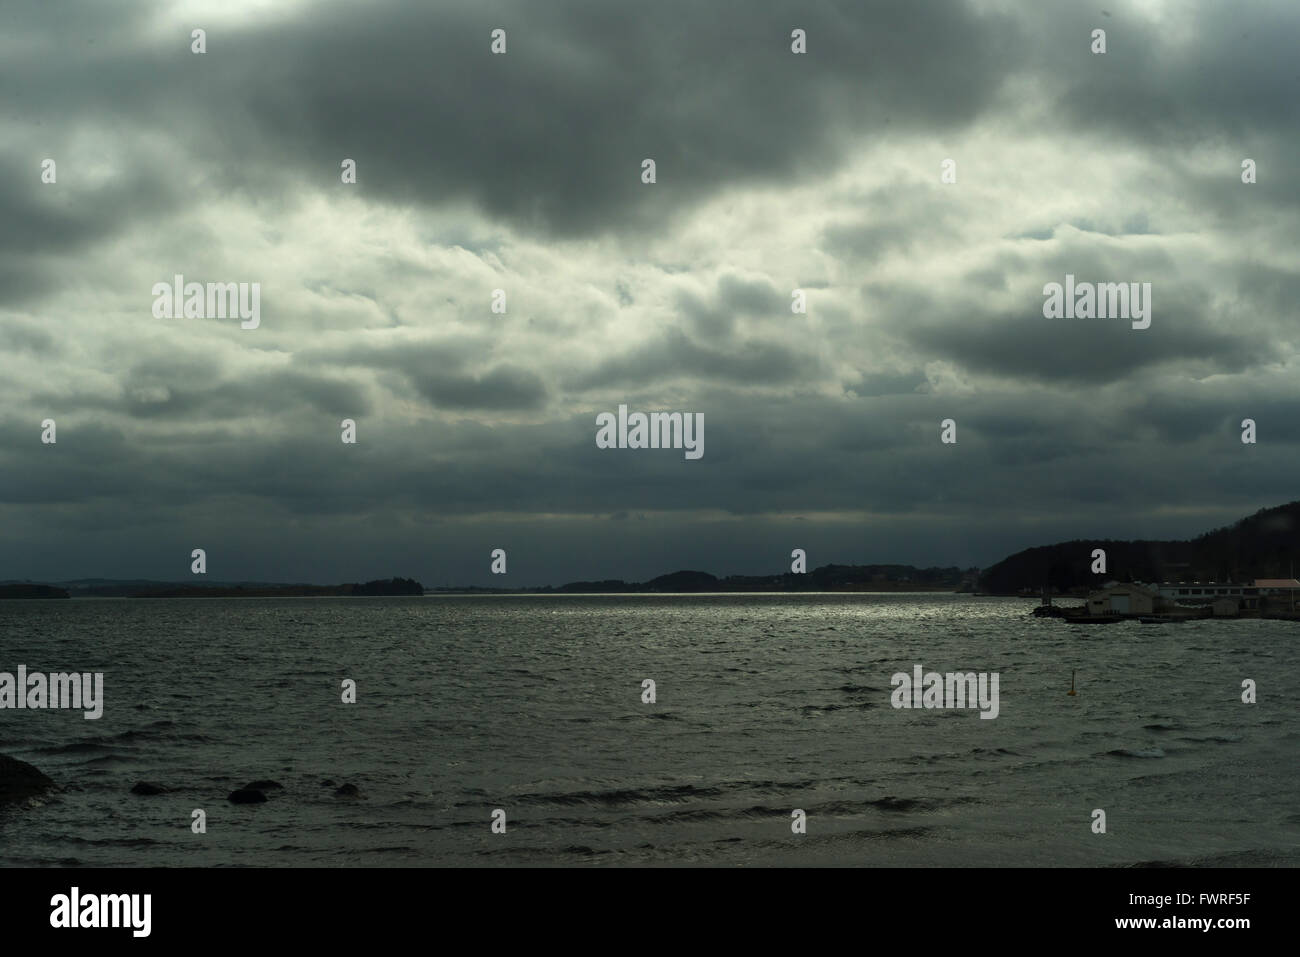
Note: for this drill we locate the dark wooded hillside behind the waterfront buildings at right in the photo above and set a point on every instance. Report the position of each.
(1260, 547)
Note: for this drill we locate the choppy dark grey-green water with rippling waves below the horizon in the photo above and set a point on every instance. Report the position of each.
(765, 704)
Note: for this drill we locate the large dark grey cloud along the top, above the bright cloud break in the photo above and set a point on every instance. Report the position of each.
(552, 135)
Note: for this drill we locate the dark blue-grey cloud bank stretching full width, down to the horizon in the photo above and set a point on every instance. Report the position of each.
(768, 456)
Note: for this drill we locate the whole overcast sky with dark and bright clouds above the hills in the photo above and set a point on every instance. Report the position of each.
(523, 172)
